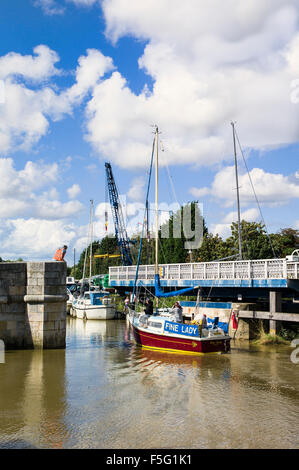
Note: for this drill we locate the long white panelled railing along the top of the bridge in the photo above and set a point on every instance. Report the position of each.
(253, 269)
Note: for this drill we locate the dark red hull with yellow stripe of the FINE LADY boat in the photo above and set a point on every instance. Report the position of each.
(190, 346)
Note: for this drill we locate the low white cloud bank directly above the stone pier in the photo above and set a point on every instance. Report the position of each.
(34, 221)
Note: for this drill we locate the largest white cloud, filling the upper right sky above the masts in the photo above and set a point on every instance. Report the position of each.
(211, 63)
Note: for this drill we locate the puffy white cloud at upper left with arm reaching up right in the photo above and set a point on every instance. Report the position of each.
(26, 112)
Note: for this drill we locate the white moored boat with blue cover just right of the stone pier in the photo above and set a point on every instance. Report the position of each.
(94, 305)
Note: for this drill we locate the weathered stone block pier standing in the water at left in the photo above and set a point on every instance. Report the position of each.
(33, 305)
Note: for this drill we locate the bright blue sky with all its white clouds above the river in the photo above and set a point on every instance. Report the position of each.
(83, 82)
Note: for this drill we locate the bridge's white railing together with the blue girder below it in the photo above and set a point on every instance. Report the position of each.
(270, 273)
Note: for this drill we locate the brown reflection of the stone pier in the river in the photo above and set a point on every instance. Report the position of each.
(32, 397)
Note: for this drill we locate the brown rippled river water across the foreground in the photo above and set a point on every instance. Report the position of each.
(105, 392)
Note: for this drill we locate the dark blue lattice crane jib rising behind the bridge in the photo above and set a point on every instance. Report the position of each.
(120, 228)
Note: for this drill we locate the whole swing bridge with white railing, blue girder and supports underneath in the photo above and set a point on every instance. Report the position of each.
(270, 280)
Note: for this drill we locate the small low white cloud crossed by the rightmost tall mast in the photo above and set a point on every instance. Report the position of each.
(270, 188)
